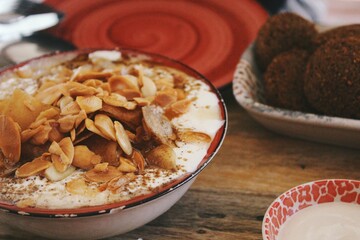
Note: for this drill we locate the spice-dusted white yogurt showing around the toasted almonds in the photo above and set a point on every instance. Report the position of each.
(203, 116)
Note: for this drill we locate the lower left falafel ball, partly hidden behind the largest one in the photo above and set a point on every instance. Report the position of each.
(284, 80)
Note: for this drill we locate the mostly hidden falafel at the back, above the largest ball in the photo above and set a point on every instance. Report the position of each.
(338, 33)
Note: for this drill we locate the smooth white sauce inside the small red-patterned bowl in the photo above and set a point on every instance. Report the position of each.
(326, 221)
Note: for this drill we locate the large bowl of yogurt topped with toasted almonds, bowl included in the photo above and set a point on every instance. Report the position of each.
(101, 141)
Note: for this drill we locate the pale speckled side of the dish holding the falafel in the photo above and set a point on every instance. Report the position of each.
(248, 91)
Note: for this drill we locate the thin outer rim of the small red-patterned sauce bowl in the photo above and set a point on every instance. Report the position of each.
(287, 192)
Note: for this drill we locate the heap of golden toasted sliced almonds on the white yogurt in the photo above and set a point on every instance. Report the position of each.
(104, 123)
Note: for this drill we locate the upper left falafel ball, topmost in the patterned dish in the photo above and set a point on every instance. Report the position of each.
(281, 33)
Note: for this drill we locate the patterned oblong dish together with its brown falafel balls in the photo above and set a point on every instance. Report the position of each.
(303, 80)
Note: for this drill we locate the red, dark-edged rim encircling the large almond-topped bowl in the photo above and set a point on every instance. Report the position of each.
(141, 199)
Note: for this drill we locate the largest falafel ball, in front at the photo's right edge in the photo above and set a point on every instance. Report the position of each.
(332, 79)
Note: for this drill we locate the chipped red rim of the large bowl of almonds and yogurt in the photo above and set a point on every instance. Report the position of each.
(163, 191)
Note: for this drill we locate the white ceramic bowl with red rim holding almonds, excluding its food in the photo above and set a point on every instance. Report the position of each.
(111, 219)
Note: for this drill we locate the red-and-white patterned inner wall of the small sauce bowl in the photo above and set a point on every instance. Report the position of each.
(306, 195)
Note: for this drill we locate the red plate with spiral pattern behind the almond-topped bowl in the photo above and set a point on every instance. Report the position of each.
(207, 35)
